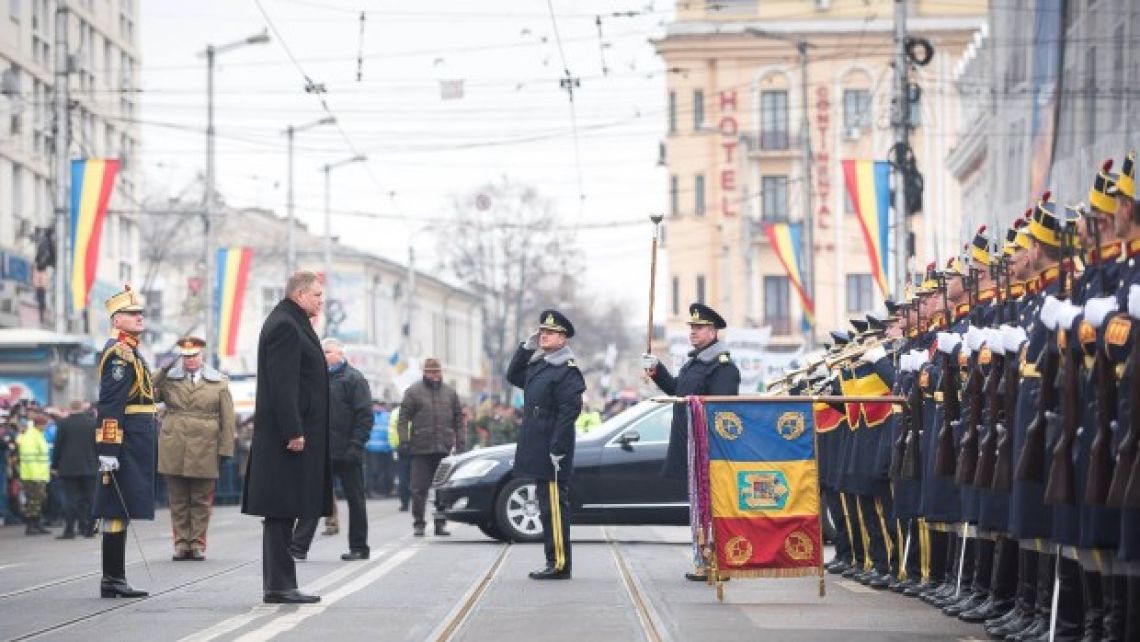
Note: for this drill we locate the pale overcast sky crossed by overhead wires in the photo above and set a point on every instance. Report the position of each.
(512, 121)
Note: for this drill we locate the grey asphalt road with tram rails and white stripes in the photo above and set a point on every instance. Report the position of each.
(628, 587)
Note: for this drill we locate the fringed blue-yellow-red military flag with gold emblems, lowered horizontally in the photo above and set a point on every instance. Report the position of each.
(763, 490)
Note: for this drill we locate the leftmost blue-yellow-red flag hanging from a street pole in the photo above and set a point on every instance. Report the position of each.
(93, 181)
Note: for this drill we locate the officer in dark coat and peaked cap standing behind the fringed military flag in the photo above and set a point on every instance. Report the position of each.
(707, 371)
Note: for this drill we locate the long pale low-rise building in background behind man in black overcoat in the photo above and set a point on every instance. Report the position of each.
(389, 321)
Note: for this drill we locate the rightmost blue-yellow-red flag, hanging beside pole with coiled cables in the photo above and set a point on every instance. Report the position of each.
(869, 188)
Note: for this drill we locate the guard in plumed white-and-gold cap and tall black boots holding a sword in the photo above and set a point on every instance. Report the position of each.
(125, 442)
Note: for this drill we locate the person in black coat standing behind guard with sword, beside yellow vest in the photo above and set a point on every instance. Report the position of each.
(75, 462)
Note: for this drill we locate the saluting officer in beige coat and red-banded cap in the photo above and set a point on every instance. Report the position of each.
(198, 432)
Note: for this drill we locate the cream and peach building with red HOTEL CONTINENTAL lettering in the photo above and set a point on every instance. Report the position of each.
(736, 157)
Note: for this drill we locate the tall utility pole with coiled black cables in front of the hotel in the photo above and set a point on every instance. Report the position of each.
(902, 124)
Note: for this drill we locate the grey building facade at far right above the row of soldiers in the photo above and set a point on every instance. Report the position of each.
(1047, 95)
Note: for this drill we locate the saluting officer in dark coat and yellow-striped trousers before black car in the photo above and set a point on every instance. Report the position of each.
(552, 387)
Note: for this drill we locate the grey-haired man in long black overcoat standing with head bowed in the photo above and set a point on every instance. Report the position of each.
(289, 476)
